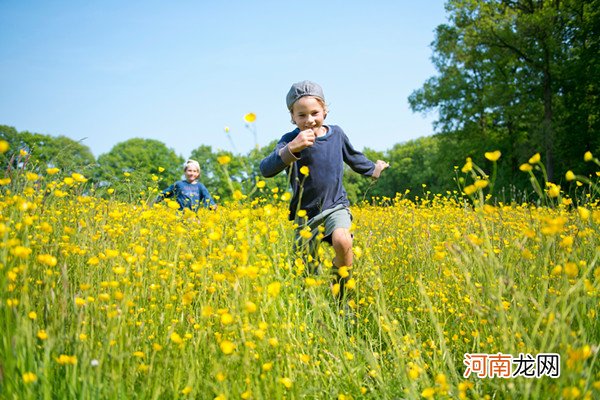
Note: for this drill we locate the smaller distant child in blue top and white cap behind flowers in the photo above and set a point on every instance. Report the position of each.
(189, 193)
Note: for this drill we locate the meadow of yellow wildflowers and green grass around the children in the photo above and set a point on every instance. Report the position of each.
(104, 299)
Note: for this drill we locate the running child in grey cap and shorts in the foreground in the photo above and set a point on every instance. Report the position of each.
(313, 156)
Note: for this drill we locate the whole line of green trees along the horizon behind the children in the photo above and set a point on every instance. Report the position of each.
(519, 76)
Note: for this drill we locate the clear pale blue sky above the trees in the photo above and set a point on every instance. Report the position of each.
(181, 71)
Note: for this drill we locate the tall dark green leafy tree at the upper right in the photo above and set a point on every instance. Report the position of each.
(510, 75)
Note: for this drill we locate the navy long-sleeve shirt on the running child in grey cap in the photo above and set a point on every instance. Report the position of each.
(322, 189)
